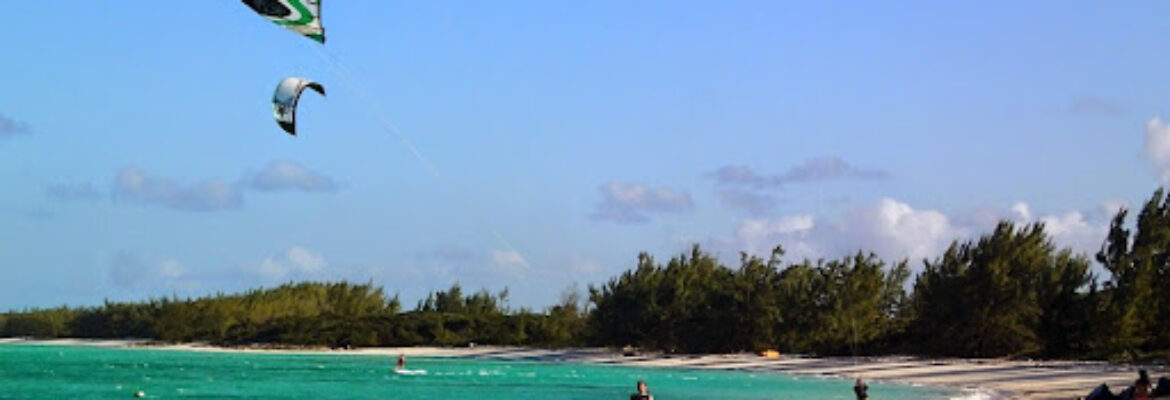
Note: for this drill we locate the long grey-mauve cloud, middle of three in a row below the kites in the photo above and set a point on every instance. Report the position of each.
(134, 184)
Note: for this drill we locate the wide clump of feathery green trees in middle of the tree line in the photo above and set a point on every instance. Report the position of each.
(694, 305)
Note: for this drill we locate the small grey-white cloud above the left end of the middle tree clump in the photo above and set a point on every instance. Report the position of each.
(631, 203)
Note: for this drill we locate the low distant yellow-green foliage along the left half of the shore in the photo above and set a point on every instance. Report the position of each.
(311, 314)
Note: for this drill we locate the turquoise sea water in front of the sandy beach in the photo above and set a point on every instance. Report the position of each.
(80, 373)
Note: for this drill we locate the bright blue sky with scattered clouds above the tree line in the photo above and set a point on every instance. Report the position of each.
(139, 156)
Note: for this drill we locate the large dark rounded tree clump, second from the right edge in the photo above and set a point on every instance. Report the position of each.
(988, 298)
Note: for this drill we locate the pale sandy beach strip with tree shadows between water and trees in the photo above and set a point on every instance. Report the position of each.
(980, 378)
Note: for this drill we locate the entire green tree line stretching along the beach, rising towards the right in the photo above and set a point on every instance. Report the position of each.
(1009, 293)
